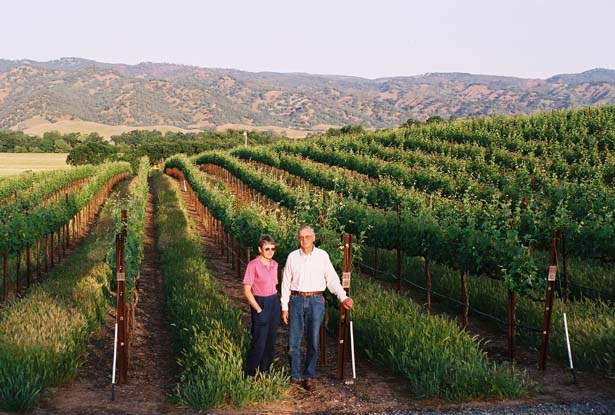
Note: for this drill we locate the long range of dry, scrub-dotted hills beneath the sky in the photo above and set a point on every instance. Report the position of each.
(188, 97)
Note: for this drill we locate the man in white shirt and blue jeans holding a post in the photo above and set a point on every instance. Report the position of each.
(307, 273)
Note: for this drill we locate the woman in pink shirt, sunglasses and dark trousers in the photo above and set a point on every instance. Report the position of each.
(259, 288)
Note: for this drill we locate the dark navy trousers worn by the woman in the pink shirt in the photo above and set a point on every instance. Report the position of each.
(264, 329)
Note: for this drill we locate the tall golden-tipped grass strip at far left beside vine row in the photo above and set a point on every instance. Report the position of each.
(43, 335)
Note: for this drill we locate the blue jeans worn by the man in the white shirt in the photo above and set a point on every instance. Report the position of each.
(304, 313)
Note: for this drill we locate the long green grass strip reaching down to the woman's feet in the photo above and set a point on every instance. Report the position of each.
(208, 332)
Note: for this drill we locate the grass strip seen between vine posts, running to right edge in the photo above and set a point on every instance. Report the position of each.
(591, 323)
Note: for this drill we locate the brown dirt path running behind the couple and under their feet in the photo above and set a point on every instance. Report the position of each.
(375, 389)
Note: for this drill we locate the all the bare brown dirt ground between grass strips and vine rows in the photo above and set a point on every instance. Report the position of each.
(152, 371)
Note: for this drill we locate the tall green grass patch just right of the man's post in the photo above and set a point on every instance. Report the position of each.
(439, 359)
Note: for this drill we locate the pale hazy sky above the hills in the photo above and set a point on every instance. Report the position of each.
(524, 38)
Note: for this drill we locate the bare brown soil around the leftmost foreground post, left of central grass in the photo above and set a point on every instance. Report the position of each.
(152, 369)
